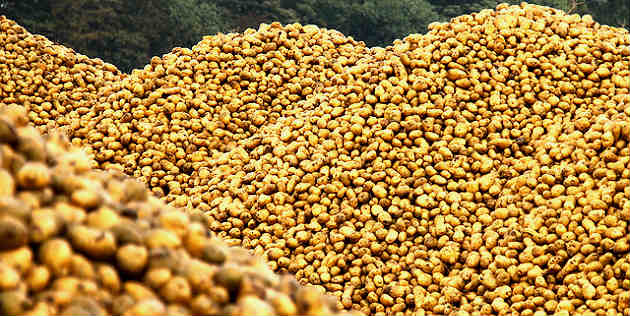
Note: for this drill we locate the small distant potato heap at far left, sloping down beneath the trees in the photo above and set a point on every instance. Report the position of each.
(56, 84)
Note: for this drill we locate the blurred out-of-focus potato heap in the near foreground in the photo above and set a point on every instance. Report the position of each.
(80, 242)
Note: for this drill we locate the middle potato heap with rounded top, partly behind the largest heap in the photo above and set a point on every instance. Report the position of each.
(164, 124)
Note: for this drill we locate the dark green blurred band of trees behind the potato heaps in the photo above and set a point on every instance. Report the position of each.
(128, 33)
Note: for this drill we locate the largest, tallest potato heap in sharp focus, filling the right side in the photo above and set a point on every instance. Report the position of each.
(482, 168)
